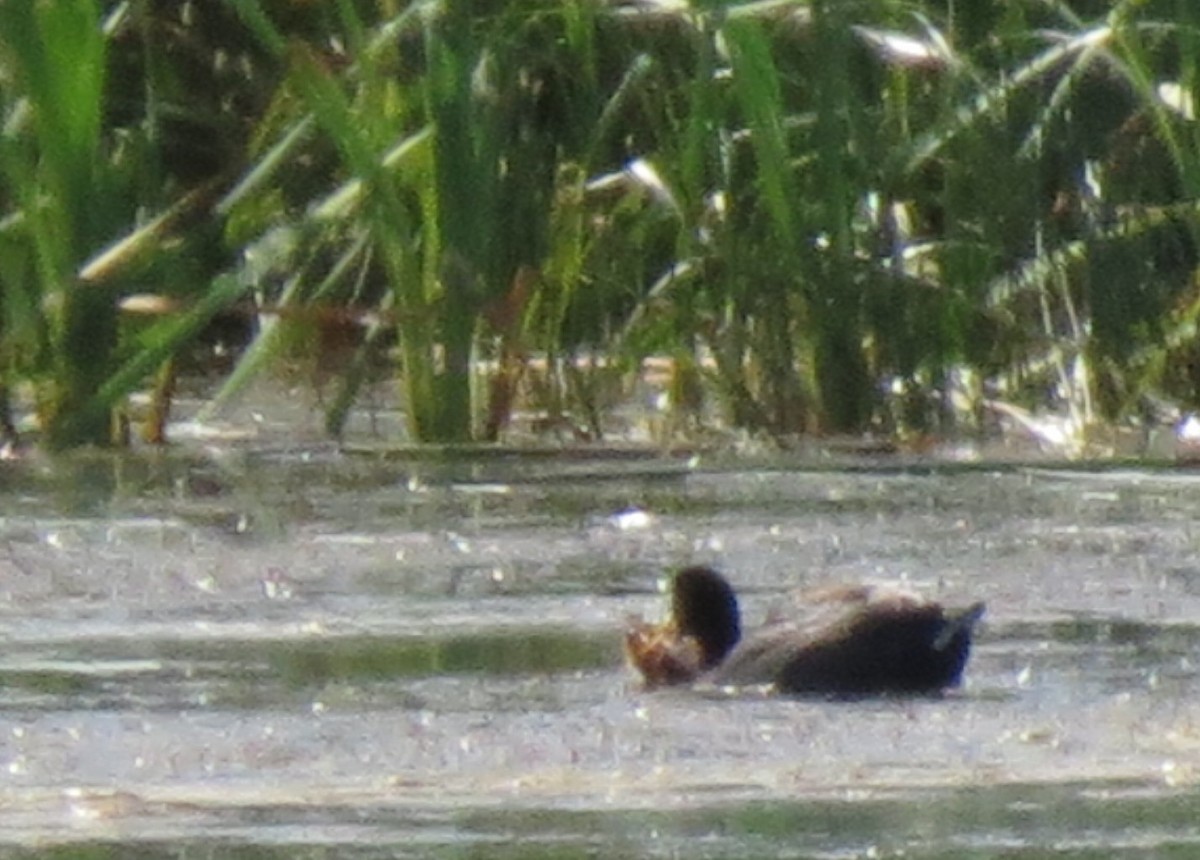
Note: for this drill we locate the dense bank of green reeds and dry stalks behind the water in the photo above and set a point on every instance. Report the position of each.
(827, 219)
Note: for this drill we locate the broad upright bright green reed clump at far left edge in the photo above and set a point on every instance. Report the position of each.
(52, 154)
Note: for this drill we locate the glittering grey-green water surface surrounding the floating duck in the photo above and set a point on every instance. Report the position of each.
(307, 654)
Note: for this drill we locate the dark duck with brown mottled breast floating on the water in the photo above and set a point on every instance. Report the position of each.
(843, 641)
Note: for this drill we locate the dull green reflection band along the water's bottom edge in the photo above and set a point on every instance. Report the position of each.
(1025, 822)
